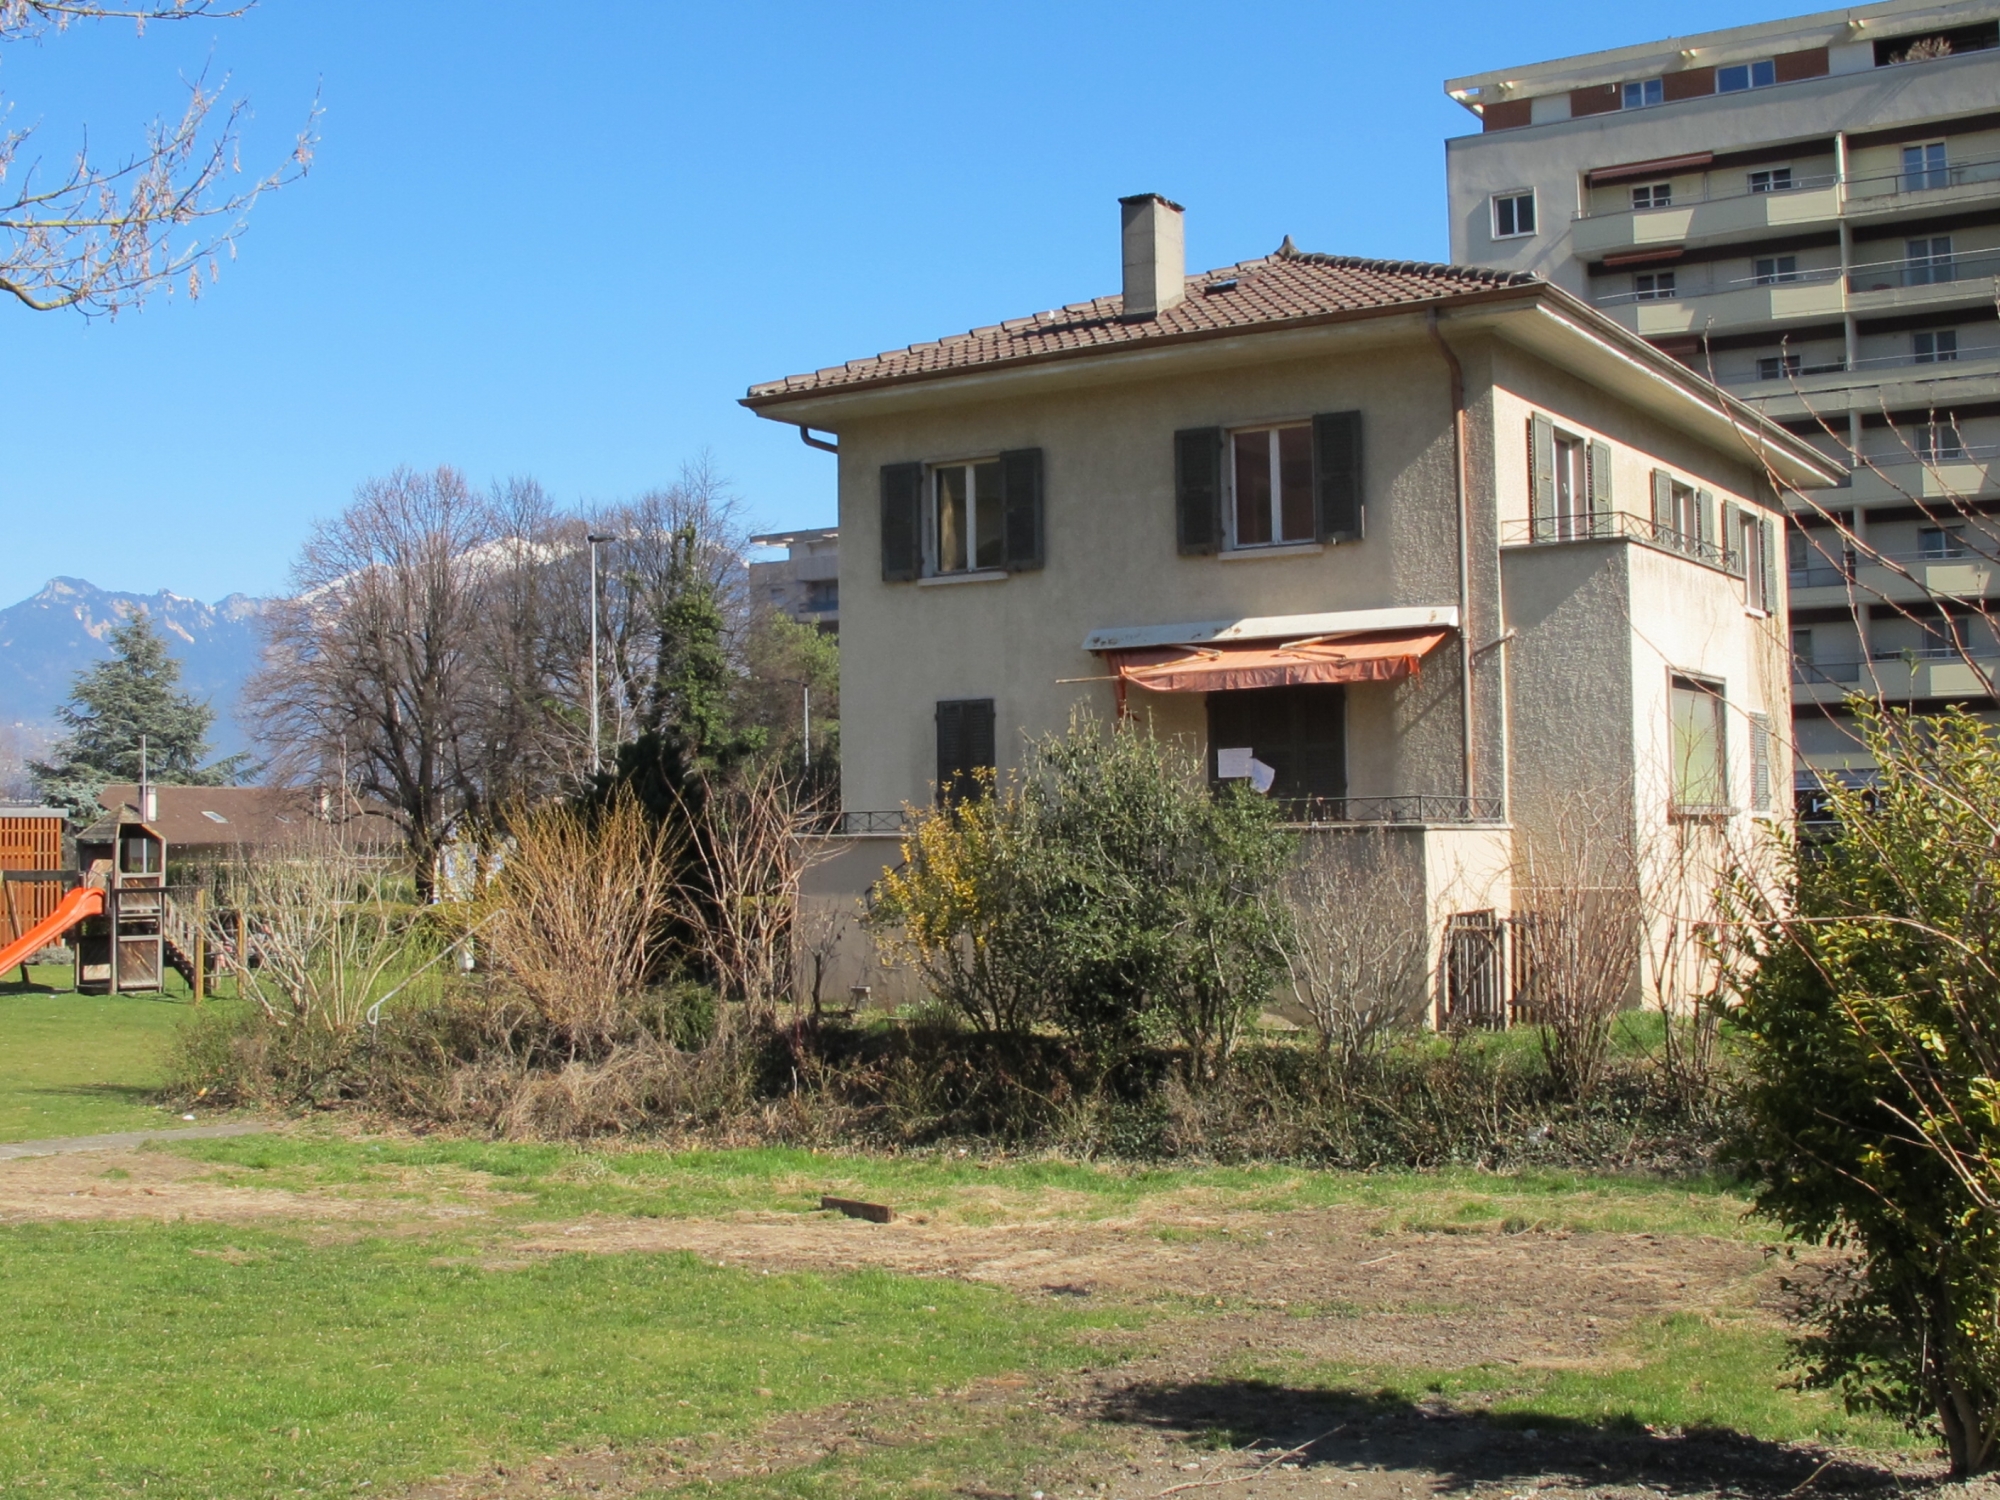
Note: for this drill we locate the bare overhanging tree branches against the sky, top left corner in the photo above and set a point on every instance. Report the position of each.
(101, 239)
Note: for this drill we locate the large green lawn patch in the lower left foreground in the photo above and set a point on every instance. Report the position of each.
(195, 1361)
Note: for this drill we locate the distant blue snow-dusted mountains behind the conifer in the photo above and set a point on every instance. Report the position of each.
(49, 639)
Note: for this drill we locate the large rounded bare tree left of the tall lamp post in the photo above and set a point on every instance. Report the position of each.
(375, 661)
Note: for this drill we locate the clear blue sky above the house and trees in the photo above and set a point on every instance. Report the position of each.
(563, 239)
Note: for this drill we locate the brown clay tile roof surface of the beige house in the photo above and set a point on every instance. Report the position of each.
(1277, 289)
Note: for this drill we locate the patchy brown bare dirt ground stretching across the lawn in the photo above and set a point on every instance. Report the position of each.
(1165, 1415)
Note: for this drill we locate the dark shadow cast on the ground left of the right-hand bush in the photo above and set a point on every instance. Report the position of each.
(1347, 1429)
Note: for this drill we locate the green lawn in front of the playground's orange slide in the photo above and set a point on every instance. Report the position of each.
(77, 1065)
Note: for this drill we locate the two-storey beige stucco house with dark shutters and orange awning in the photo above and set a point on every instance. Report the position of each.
(1427, 551)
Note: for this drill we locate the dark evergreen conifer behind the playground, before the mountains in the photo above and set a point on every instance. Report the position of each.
(113, 705)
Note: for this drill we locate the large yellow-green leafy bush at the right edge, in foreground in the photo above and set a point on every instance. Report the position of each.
(1871, 1013)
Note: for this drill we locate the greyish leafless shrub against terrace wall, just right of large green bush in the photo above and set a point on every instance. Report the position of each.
(1359, 955)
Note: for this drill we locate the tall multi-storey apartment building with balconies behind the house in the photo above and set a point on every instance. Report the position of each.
(1807, 211)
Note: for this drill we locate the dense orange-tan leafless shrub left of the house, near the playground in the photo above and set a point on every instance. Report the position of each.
(575, 917)
